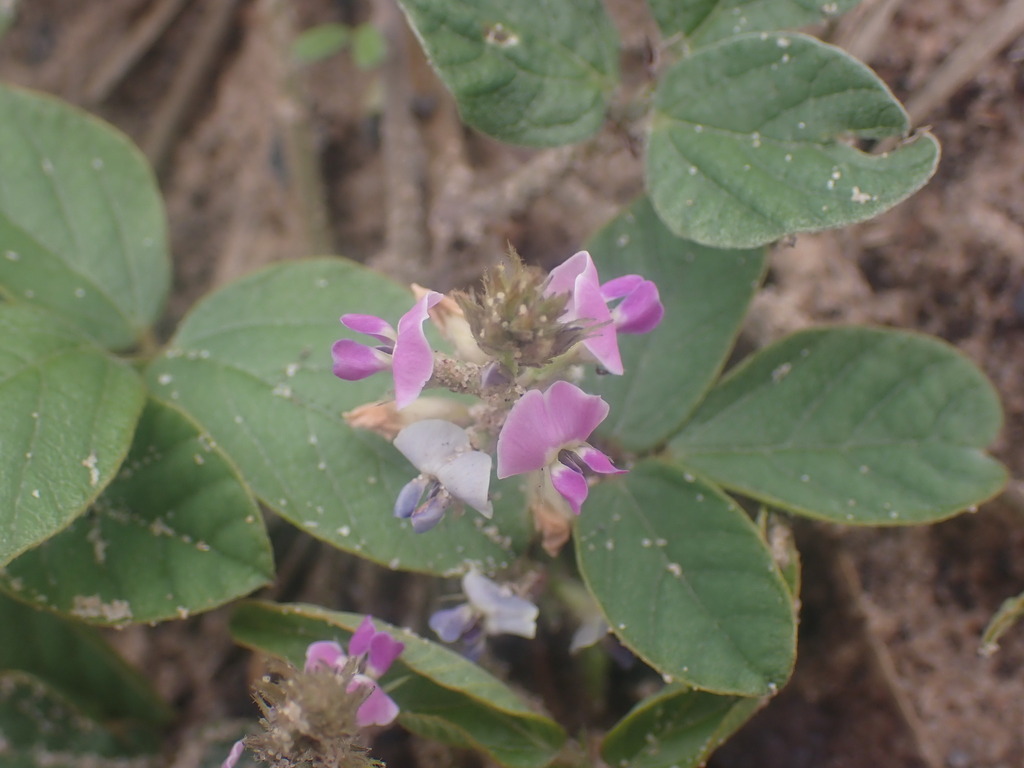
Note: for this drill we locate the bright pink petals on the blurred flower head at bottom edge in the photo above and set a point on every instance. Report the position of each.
(379, 650)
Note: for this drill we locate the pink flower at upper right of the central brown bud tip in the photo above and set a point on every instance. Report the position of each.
(638, 310)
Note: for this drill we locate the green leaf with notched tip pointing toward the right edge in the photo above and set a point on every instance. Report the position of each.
(852, 425)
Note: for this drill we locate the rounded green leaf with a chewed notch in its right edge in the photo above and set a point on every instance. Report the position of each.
(750, 143)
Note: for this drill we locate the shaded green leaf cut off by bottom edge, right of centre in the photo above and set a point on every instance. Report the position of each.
(677, 727)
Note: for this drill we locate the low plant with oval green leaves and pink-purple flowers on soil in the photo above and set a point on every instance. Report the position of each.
(583, 412)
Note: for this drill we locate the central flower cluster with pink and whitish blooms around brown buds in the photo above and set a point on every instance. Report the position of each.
(518, 340)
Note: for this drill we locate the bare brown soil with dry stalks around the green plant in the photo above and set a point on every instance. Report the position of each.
(261, 162)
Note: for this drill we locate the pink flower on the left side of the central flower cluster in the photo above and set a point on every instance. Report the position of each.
(407, 352)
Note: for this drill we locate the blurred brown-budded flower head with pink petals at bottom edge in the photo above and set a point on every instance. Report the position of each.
(314, 716)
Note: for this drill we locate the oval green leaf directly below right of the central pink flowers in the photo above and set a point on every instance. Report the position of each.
(716, 614)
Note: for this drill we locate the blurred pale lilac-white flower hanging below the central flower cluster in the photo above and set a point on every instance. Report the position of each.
(492, 610)
